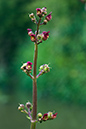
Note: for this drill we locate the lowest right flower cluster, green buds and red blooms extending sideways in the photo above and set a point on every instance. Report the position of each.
(46, 116)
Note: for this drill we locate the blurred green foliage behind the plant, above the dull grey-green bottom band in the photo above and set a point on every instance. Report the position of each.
(65, 50)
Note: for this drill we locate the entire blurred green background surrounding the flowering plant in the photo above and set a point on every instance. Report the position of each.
(63, 89)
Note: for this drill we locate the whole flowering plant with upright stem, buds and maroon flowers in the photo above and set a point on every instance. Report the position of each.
(31, 109)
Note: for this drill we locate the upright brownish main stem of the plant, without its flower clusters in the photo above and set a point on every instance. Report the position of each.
(33, 123)
